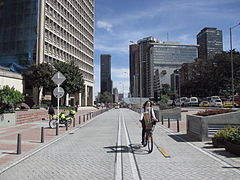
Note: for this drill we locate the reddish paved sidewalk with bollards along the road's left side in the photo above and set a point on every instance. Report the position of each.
(31, 136)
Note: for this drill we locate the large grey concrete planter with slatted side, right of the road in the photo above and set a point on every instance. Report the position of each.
(204, 127)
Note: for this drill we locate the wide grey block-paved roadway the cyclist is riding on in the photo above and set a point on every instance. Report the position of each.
(108, 147)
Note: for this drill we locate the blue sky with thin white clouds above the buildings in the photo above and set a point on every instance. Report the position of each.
(117, 22)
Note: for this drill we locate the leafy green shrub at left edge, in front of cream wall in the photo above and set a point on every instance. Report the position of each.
(9, 99)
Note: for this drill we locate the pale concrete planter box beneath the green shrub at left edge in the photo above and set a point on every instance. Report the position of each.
(7, 120)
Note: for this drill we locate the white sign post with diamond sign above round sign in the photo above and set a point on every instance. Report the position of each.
(58, 92)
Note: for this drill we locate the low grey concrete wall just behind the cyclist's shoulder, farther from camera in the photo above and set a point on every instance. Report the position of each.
(172, 114)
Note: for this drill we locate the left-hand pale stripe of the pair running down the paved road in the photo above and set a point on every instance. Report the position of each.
(118, 164)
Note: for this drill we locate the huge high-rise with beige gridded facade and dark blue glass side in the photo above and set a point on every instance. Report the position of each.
(34, 32)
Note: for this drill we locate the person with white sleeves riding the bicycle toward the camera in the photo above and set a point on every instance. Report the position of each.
(148, 113)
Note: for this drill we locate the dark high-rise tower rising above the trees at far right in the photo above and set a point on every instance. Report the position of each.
(210, 41)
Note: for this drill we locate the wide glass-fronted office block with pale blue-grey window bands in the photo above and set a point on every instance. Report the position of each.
(167, 57)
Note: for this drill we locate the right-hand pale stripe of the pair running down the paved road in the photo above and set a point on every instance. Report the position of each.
(135, 172)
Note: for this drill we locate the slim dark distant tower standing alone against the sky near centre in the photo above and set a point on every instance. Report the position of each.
(106, 81)
